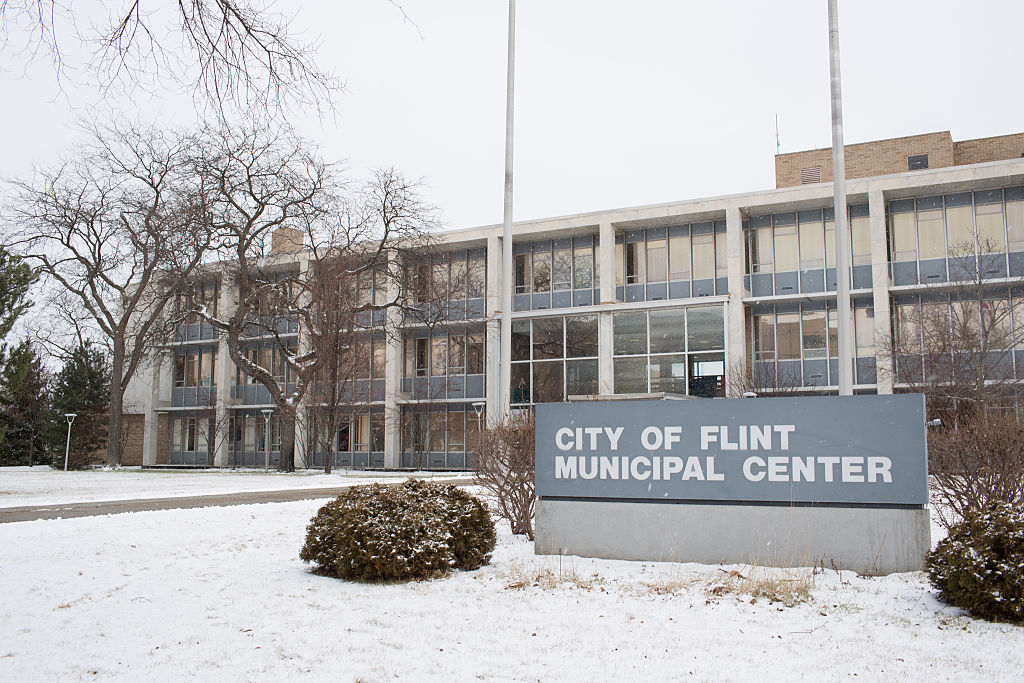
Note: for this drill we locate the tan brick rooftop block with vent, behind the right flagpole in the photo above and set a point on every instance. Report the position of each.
(868, 159)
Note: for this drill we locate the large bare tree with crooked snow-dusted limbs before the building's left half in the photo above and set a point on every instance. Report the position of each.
(270, 185)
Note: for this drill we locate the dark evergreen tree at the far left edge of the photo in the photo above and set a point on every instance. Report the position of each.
(27, 420)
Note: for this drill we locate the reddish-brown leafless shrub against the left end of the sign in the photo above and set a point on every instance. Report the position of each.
(505, 466)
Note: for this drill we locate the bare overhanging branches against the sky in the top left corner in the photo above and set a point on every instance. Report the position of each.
(229, 52)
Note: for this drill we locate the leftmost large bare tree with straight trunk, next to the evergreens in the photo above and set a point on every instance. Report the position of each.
(120, 227)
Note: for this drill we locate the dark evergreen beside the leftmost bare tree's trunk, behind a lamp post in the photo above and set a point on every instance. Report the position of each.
(82, 388)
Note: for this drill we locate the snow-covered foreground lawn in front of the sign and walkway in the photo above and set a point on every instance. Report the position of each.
(221, 594)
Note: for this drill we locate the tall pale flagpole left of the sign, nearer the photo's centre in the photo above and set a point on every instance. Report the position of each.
(507, 280)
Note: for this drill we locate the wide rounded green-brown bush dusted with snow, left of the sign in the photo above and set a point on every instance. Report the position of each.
(414, 531)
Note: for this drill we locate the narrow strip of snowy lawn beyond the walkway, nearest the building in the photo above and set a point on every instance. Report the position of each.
(45, 486)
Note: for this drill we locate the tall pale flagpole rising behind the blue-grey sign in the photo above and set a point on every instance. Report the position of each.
(842, 228)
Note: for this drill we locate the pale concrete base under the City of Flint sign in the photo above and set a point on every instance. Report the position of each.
(869, 541)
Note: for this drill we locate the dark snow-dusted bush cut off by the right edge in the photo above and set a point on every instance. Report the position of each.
(980, 566)
